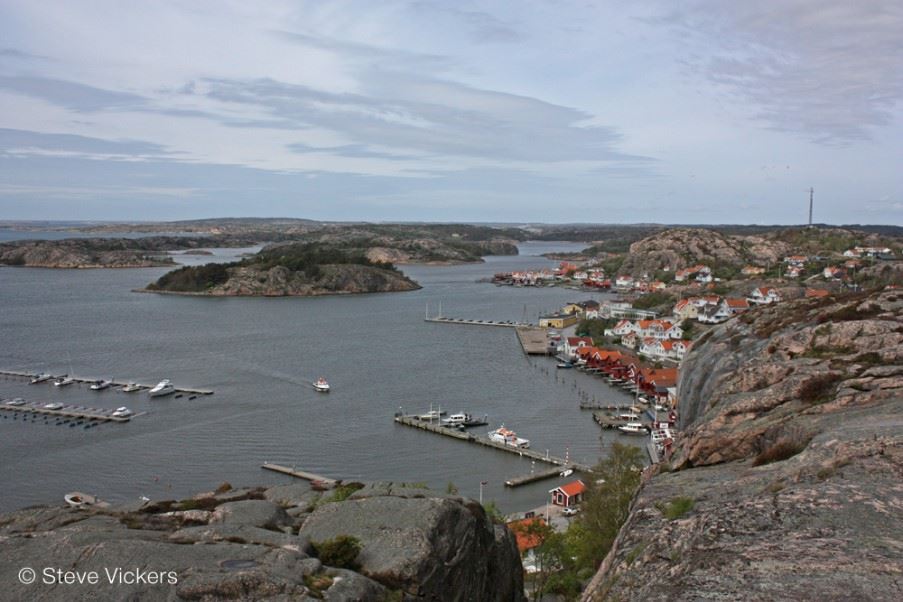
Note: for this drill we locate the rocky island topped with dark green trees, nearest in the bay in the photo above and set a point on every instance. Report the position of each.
(290, 269)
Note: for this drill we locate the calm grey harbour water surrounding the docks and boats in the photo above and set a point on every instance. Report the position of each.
(260, 356)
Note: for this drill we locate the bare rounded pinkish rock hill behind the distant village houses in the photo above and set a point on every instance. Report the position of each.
(682, 247)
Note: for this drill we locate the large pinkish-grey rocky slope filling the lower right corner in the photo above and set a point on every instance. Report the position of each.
(785, 484)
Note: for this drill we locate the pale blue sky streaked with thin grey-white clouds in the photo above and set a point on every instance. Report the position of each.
(508, 111)
